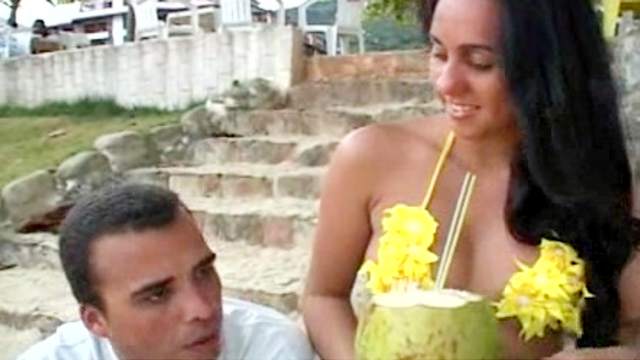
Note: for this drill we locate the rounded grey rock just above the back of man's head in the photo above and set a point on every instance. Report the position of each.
(83, 173)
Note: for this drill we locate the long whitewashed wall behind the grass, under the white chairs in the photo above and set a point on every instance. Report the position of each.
(167, 74)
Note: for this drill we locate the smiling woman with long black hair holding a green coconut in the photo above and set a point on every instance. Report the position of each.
(527, 90)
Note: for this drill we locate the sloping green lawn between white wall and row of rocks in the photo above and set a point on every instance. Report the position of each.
(30, 140)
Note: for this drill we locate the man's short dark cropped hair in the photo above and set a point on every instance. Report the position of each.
(119, 209)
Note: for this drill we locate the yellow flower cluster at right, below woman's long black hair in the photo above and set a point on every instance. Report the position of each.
(549, 294)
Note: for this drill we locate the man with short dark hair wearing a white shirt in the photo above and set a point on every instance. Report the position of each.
(148, 289)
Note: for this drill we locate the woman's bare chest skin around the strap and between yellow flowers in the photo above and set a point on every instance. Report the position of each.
(485, 255)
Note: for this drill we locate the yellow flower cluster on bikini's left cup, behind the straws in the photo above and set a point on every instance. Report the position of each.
(404, 259)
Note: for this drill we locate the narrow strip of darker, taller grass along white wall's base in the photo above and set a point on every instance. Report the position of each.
(86, 108)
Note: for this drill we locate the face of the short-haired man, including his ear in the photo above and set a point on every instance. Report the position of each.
(160, 291)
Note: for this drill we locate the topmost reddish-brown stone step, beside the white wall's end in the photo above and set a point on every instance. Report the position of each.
(358, 92)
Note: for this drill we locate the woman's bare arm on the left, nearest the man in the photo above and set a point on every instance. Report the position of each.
(341, 240)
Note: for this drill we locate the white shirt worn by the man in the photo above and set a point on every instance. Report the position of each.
(250, 332)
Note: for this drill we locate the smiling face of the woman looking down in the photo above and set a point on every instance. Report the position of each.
(465, 67)
